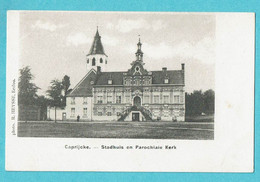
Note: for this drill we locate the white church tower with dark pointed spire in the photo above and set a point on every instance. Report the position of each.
(96, 56)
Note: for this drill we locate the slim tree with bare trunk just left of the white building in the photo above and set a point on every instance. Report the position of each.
(55, 94)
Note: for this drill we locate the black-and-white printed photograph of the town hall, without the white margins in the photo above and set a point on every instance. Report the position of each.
(116, 75)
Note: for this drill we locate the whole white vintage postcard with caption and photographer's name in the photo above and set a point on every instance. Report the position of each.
(130, 91)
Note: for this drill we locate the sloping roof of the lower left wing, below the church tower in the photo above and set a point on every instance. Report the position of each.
(84, 87)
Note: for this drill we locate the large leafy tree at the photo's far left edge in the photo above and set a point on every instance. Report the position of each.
(27, 89)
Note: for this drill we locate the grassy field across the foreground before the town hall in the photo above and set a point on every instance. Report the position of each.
(141, 130)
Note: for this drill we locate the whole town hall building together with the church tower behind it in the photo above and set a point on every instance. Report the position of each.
(134, 95)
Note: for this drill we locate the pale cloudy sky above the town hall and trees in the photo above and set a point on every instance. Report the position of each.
(55, 44)
